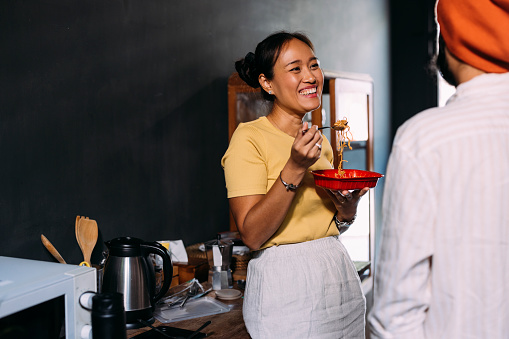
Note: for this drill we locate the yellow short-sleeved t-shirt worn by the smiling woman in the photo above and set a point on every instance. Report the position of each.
(256, 155)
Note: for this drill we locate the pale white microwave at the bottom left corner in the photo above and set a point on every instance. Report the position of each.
(40, 299)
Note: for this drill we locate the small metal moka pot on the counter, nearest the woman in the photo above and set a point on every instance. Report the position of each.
(219, 255)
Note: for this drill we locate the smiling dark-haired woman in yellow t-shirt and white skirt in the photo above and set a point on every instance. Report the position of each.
(287, 221)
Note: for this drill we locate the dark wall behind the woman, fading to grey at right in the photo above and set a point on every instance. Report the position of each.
(117, 110)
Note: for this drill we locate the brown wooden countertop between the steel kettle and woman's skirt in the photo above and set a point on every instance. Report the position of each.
(223, 325)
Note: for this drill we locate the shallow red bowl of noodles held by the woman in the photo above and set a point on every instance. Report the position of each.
(351, 180)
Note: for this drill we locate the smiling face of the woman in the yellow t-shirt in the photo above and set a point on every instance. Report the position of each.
(298, 79)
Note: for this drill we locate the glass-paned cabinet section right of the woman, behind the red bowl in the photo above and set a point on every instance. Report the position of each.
(350, 96)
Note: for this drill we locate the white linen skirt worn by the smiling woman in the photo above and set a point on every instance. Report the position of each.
(304, 290)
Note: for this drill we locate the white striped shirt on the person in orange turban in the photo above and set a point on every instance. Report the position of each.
(443, 266)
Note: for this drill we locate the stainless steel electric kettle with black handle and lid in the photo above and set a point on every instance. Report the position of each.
(129, 270)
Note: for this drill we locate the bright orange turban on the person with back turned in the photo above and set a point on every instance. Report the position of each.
(476, 32)
